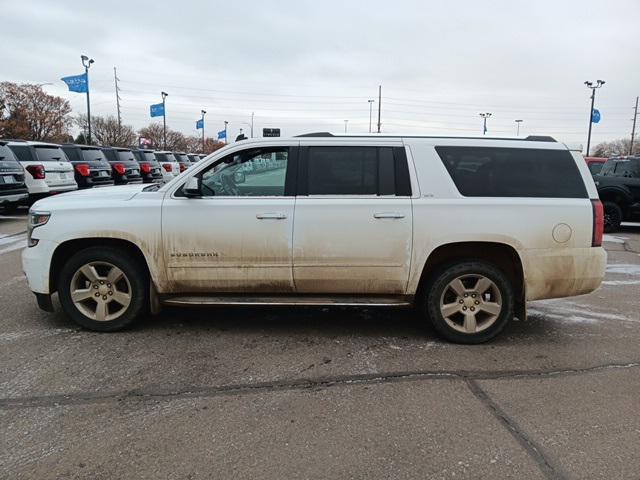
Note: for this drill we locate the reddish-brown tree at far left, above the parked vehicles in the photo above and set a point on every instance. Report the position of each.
(27, 111)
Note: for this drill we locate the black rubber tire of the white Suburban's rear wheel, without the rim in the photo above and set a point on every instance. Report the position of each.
(435, 289)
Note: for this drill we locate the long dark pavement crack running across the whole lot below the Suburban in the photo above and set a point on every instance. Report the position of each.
(203, 391)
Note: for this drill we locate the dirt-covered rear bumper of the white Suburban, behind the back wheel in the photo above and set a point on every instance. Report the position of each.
(566, 272)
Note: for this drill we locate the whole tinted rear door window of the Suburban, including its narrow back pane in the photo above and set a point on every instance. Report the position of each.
(355, 171)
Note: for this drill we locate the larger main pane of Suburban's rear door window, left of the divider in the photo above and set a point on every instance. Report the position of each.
(342, 171)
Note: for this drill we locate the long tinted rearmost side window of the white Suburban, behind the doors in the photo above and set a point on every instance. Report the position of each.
(513, 172)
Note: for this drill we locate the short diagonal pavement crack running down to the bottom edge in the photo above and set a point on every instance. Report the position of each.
(535, 451)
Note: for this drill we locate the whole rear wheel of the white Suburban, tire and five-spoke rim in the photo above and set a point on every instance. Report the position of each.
(469, 302)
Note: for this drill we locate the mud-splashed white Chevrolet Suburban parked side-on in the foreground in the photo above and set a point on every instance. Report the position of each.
(465, 229)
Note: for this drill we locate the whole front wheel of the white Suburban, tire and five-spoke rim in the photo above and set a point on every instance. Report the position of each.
(103, 289)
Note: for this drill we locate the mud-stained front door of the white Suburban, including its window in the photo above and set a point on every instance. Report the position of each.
(237, 236)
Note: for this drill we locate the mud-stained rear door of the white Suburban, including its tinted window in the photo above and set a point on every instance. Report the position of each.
(353, 220)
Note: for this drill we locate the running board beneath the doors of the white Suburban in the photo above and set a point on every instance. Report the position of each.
(294, 300)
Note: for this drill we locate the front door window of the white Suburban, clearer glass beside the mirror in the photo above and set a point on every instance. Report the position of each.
(257, 172)
